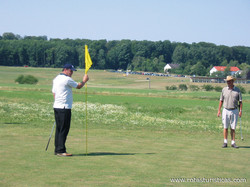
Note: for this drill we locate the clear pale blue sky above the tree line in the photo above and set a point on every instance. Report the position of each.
(222, 22)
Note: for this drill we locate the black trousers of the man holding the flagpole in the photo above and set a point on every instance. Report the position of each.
(63, 118)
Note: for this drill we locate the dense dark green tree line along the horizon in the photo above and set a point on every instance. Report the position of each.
(151, 56)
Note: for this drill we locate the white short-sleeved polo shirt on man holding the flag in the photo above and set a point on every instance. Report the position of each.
(62, 88)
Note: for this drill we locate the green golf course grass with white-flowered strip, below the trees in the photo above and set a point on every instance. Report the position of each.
(136, 136)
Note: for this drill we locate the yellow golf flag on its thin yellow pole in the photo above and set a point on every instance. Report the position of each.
(88, 63)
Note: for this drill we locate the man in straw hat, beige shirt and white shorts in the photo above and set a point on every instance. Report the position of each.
(232, 102)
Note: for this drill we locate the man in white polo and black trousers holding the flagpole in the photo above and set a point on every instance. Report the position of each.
(63, 99)
